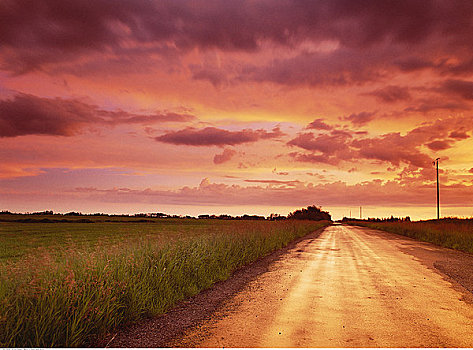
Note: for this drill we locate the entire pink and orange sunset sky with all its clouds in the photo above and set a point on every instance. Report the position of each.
(236, 107)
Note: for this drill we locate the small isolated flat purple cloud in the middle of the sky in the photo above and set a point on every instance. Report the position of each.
(212, 136)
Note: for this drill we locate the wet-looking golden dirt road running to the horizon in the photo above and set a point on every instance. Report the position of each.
(351, 287)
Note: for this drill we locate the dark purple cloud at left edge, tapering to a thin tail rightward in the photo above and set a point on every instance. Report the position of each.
(26, 114)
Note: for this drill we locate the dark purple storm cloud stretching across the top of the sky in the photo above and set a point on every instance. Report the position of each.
(34, 33)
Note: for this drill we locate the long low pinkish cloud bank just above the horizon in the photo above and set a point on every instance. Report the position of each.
(290, 193)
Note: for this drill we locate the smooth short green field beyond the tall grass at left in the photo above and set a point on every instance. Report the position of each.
(18, 239)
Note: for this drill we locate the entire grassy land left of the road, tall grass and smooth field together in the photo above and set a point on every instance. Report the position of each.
(66, 283)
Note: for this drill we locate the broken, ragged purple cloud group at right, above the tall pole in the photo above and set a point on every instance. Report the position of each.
(393, 148)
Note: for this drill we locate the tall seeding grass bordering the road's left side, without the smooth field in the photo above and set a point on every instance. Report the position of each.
(66, 300)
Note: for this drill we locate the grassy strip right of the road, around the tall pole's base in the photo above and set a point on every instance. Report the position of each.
(450, 233)
